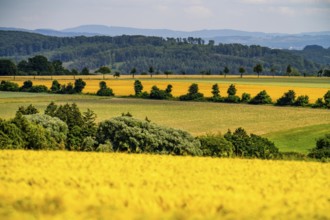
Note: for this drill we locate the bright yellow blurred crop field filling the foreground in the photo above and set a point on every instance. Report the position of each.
(71, 185)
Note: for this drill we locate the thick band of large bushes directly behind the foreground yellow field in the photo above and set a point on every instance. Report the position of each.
(64, 127)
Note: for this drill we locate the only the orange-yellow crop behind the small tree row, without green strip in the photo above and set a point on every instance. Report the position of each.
(124, 85)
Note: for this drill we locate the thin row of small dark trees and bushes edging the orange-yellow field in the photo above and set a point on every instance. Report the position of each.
(288, 99)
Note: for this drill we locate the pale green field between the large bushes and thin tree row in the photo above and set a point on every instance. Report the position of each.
(291, 128)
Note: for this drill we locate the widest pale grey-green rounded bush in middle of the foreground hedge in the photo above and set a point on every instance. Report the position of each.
(131, 135)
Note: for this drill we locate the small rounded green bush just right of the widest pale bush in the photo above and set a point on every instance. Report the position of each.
(215, 145)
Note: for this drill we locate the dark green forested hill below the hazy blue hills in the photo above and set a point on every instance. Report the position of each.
(188, 55)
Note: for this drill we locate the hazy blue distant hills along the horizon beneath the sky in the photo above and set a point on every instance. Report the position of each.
(272, 40)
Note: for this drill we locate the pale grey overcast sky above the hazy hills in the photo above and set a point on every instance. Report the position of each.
(285, 16)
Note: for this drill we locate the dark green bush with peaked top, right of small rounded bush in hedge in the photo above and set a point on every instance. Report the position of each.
(251, 145)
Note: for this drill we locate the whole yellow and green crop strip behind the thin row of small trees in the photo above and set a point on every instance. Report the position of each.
(275, 87)
